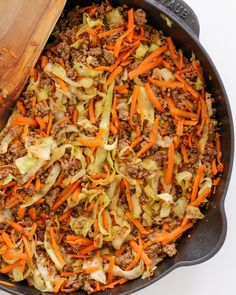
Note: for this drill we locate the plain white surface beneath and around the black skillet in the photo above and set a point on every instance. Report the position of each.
(218, 275)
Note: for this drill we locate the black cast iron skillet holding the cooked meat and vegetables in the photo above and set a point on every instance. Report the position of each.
(208, 235)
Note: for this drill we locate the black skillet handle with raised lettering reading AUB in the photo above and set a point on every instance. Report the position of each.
(179, 10)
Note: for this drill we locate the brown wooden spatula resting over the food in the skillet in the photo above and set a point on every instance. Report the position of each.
(25, 26)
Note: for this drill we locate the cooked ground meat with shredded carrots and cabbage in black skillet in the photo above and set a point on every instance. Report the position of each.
(109, 156)
